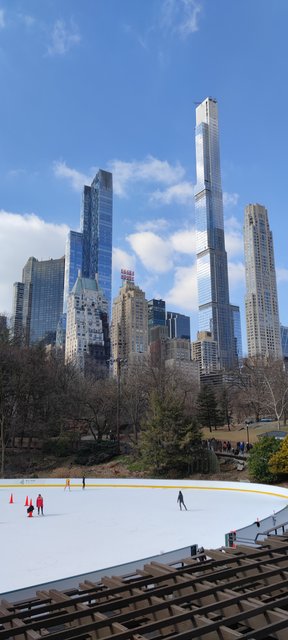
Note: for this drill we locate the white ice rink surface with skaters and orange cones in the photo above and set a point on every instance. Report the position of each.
(116, 521)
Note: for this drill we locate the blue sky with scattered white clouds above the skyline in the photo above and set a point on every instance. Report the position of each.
(112, 84)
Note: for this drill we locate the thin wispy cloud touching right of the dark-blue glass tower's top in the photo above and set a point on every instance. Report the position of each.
(148, 170)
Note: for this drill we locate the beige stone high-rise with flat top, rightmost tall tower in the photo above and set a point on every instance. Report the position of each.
(261, 302)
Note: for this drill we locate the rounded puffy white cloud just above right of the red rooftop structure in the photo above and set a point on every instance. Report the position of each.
(154, 252)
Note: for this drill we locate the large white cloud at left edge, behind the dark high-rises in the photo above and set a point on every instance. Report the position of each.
(22, 236)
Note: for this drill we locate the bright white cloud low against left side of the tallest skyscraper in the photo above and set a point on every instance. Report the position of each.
(184, 294)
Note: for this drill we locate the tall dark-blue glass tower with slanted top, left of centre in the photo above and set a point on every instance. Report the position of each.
(96, 228)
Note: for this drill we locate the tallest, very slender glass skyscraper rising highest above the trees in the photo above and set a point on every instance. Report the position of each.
(215, 314)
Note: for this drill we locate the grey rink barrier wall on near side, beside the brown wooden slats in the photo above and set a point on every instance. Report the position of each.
(126, 569)
